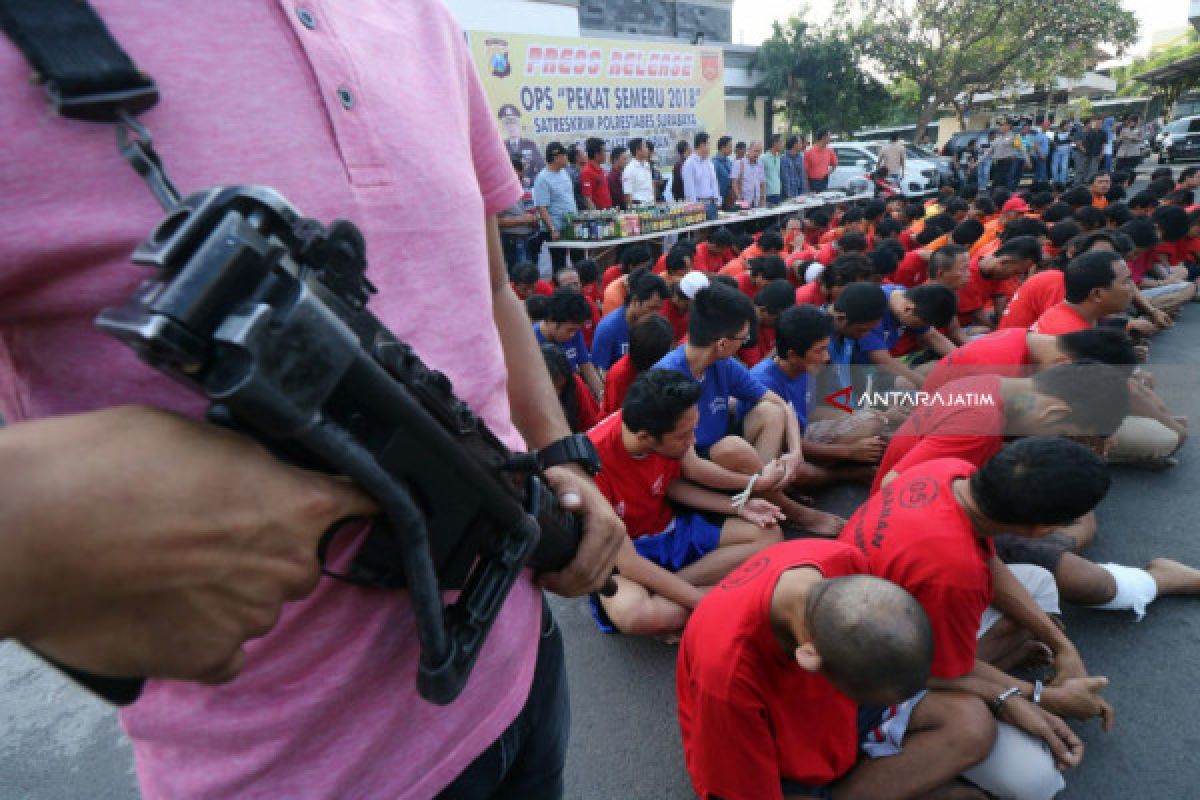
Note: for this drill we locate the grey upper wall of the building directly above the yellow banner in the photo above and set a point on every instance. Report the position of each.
(680, 20)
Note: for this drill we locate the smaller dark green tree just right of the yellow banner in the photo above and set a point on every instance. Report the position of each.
(815, 79)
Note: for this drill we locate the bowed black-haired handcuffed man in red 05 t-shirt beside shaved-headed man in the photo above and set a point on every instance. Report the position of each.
(931, 531)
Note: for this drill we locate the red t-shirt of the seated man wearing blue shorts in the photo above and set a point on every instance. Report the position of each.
(635, 488)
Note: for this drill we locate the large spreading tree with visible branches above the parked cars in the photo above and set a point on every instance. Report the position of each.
(953, 49)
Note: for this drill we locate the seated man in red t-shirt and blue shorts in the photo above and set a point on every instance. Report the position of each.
(685, 538)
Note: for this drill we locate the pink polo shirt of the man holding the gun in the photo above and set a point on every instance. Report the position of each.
(327, 707)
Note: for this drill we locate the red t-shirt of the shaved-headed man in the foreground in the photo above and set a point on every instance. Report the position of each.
(749, 715)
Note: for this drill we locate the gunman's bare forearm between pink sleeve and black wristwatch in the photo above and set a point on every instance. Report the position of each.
(532, 399)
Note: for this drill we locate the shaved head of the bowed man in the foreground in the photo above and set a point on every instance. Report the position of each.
(874, 639)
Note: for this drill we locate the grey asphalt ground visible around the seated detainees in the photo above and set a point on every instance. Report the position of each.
(61, 744)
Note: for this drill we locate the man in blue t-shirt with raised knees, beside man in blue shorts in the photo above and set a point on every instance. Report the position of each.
(719, 324)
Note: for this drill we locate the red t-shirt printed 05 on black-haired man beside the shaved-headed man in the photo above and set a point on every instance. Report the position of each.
(916, 536)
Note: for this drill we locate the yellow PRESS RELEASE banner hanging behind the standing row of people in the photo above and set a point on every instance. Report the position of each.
(548, 89)
